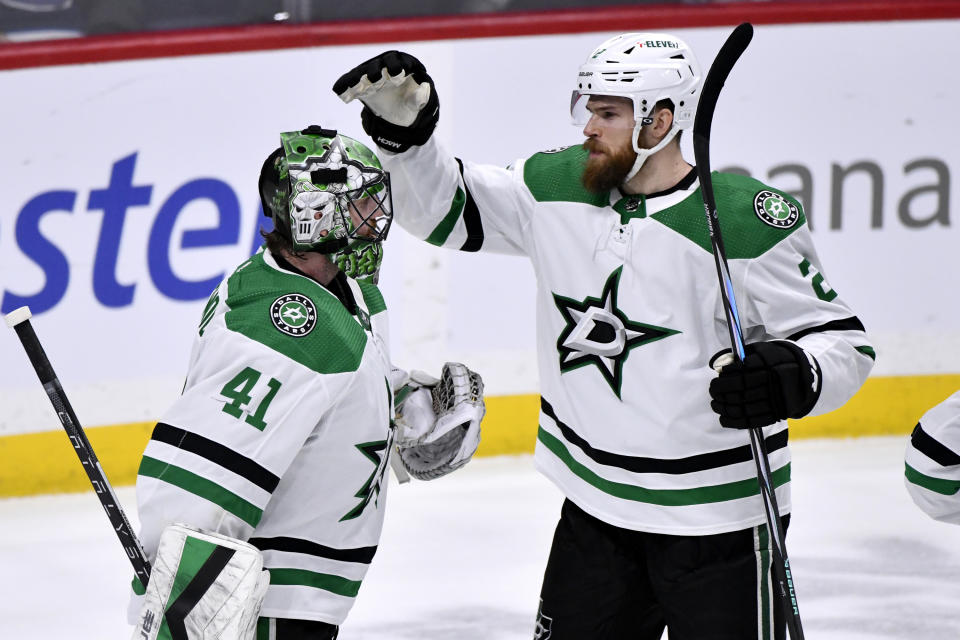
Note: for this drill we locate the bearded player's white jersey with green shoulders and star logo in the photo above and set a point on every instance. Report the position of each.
(629, 313)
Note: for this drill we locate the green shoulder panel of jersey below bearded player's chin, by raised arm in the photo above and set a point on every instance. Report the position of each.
(554, 176)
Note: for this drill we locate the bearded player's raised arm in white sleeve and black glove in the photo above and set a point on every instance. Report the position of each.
(444, 200)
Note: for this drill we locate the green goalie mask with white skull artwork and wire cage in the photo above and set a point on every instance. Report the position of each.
(328, 193)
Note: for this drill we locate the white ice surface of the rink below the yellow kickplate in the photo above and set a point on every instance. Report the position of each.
(462, 557)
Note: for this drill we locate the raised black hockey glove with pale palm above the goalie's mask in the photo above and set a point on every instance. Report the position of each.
(400, 104)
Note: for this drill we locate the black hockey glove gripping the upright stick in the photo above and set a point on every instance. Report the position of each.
(775, 381)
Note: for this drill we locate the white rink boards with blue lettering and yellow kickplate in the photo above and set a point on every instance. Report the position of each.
(129, 190)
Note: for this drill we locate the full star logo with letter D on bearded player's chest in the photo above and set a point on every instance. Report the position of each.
(599, 333)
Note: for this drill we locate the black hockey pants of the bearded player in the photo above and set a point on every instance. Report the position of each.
(607, 583)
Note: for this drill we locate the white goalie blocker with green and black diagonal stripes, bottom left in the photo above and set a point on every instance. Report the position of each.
(203, 586)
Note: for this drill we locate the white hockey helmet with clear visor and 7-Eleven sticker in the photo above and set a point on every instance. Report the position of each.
(646, 68)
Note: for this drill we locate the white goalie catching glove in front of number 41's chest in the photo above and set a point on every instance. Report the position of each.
(438, 421)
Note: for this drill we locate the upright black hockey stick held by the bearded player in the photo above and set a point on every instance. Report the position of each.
(729, 53)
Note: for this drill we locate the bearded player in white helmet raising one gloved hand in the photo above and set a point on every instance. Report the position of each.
(662, 526)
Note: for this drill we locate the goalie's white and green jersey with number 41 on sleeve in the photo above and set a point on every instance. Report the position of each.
(281, 435)
